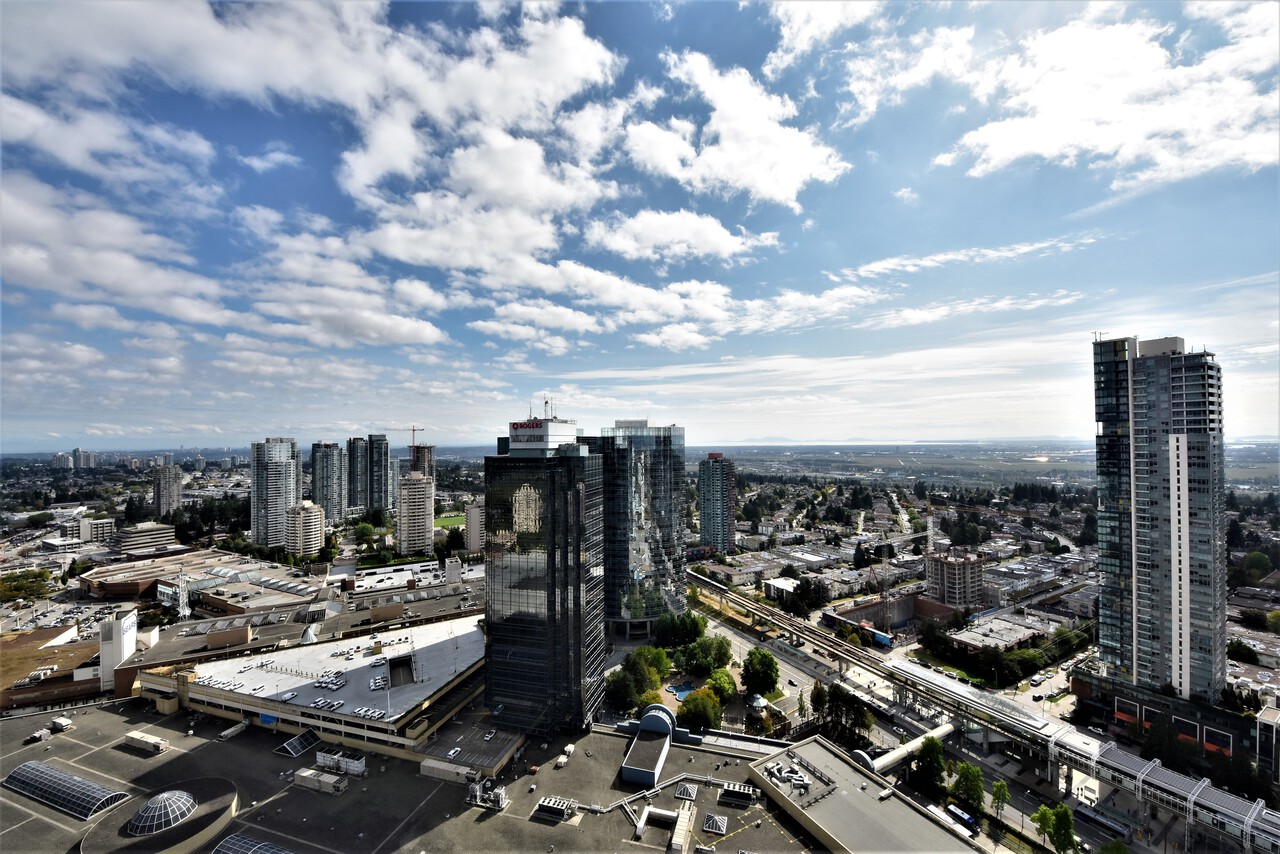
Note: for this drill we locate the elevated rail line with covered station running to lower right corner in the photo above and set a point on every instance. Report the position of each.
(1049, 743)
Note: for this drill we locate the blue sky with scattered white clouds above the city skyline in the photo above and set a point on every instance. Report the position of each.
(815, 222)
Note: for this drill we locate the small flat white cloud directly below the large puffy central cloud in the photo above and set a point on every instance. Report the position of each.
(674, 236)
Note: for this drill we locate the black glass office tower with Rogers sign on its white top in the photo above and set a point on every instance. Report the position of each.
(545, 579)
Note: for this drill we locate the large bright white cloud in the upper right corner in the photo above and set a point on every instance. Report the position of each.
(1112, 97)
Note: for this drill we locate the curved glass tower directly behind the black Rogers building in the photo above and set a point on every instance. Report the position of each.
(644, 524)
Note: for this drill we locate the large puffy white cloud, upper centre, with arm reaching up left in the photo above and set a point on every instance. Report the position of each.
(744, 147)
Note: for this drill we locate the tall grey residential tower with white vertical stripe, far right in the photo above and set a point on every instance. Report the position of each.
(1162, 517)
